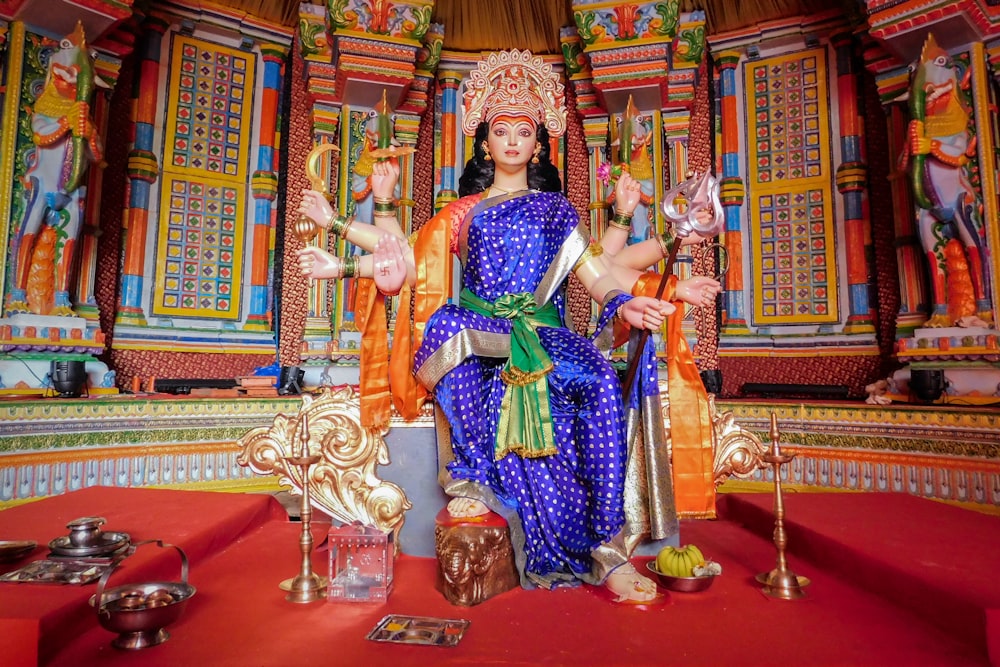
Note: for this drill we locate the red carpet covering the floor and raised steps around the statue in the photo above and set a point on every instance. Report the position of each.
(848, 545)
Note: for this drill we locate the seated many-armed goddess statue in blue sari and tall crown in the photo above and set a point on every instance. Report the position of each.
(536, 412)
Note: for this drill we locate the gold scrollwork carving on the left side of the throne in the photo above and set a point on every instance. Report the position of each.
(344, 483)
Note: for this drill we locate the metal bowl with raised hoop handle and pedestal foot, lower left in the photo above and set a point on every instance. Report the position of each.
(139, 613)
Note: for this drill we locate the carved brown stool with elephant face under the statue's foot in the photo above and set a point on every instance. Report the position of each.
(475, 557)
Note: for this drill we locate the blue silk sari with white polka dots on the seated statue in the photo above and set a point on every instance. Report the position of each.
(562, 506)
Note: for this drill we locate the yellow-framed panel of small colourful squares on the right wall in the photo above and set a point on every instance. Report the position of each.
(791, 202)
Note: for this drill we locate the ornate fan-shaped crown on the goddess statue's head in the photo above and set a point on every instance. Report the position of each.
(514, 83)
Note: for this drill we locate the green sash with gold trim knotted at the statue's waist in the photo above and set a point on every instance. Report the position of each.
(525, 417)
